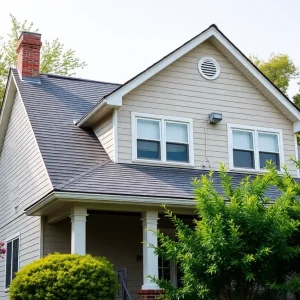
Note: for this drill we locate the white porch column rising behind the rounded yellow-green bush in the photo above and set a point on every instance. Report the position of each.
(78, 237)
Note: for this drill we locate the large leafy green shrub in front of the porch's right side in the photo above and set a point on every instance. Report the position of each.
(241, 240)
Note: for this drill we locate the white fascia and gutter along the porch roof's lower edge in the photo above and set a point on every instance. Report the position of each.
(108, 199)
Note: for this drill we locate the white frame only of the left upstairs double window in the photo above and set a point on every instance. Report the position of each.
(163, 157)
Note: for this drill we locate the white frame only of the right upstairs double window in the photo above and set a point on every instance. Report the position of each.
(255, 130)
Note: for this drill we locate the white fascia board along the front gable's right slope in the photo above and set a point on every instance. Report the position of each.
(257, 74)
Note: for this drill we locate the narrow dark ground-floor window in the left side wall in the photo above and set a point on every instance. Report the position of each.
(12, 259)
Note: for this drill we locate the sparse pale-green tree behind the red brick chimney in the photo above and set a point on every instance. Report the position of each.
(54, 58)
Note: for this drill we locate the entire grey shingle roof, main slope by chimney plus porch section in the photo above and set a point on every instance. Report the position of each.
(74, 157)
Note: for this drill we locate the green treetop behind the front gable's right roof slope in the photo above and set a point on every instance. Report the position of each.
(279, 68)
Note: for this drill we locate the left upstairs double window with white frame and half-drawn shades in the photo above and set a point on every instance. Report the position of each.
(162, 139)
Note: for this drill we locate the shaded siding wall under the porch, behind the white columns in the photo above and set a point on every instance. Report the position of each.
(119, 238)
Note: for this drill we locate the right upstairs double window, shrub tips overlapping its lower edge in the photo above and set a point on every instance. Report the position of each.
(253, 147)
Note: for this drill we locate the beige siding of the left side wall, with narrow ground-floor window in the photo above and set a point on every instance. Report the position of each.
(23, 180)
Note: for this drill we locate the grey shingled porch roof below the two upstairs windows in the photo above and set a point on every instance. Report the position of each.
(147, 181)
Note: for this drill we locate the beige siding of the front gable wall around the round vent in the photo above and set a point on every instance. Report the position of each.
(180, 91)
